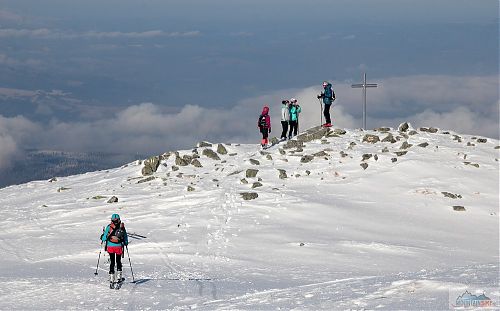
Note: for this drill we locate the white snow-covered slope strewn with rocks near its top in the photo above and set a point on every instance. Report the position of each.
(331, 235)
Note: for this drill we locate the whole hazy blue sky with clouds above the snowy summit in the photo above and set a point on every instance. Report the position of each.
(155, 75)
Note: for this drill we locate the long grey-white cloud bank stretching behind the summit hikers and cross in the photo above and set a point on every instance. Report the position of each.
(468, 105)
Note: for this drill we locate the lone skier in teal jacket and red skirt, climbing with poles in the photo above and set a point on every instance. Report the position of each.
(115, 237)
